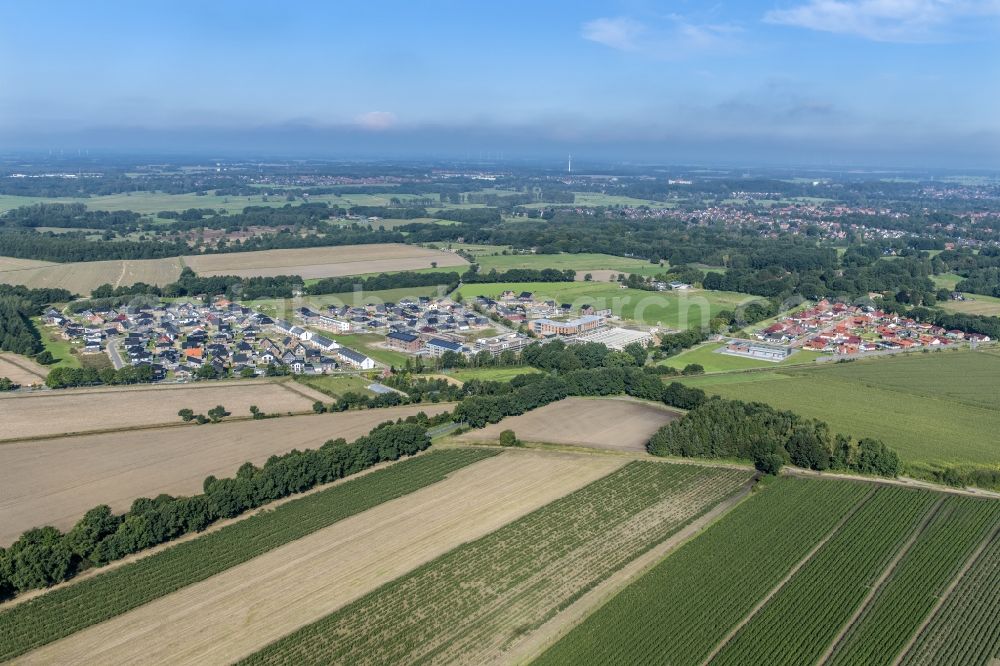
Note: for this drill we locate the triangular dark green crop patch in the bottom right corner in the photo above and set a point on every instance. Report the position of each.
(966, 629)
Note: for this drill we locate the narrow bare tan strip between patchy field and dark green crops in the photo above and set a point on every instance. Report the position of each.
(566, 619)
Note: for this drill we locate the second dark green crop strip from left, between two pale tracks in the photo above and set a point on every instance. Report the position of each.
(804, 617)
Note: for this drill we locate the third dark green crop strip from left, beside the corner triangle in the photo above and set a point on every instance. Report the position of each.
(921, 576)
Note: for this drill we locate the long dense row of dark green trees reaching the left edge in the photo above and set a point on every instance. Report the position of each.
(45, 556)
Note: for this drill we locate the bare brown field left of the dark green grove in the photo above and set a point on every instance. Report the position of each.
(606, 423)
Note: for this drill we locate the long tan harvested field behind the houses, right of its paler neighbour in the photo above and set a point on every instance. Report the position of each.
(323, 262)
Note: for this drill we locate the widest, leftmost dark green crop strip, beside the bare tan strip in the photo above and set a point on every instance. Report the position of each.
(685, 605)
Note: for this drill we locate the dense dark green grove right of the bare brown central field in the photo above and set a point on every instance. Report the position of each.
(720, 428)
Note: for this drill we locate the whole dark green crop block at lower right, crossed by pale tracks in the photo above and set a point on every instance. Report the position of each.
(856, 597)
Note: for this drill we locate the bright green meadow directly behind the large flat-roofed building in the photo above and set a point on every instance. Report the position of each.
(678, 310)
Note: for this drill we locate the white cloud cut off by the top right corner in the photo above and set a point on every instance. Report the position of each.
(884, 20)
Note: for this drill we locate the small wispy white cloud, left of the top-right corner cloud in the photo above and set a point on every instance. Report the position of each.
(677, 38)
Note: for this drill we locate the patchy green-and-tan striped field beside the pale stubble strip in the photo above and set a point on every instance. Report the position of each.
(482, 598)
